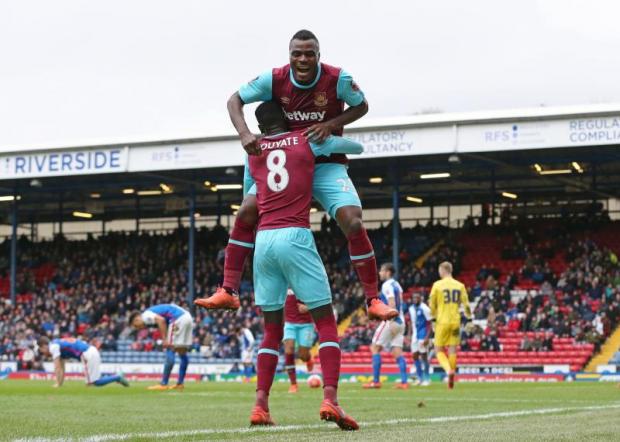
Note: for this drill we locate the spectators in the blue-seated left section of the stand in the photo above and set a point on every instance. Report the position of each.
(94, 284)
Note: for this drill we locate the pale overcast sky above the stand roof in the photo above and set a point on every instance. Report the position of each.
(80, 72)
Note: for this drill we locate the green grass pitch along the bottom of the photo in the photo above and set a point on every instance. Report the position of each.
(212, 411)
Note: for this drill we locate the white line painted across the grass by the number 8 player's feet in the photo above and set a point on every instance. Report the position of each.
(284, 428)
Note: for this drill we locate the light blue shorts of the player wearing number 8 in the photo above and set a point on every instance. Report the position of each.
(286, 258)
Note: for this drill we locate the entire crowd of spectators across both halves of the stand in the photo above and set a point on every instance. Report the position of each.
(94, 283)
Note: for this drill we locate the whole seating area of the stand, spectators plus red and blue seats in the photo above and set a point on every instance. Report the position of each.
(544, 292)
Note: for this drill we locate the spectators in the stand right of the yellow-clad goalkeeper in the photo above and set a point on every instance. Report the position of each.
(582, 302)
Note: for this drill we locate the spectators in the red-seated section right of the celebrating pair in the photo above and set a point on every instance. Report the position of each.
(582, 302)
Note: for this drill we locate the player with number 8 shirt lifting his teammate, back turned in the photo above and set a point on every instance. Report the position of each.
(286, 255)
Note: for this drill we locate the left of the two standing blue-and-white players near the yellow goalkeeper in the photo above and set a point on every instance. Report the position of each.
(389, 333)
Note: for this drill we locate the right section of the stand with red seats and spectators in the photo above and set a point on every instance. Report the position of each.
(545, 292)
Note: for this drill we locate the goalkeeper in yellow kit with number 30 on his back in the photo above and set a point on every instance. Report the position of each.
(447, 296)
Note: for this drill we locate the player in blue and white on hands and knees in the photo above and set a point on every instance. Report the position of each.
(69, 348)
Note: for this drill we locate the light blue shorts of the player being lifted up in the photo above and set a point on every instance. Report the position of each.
(332, 188)
